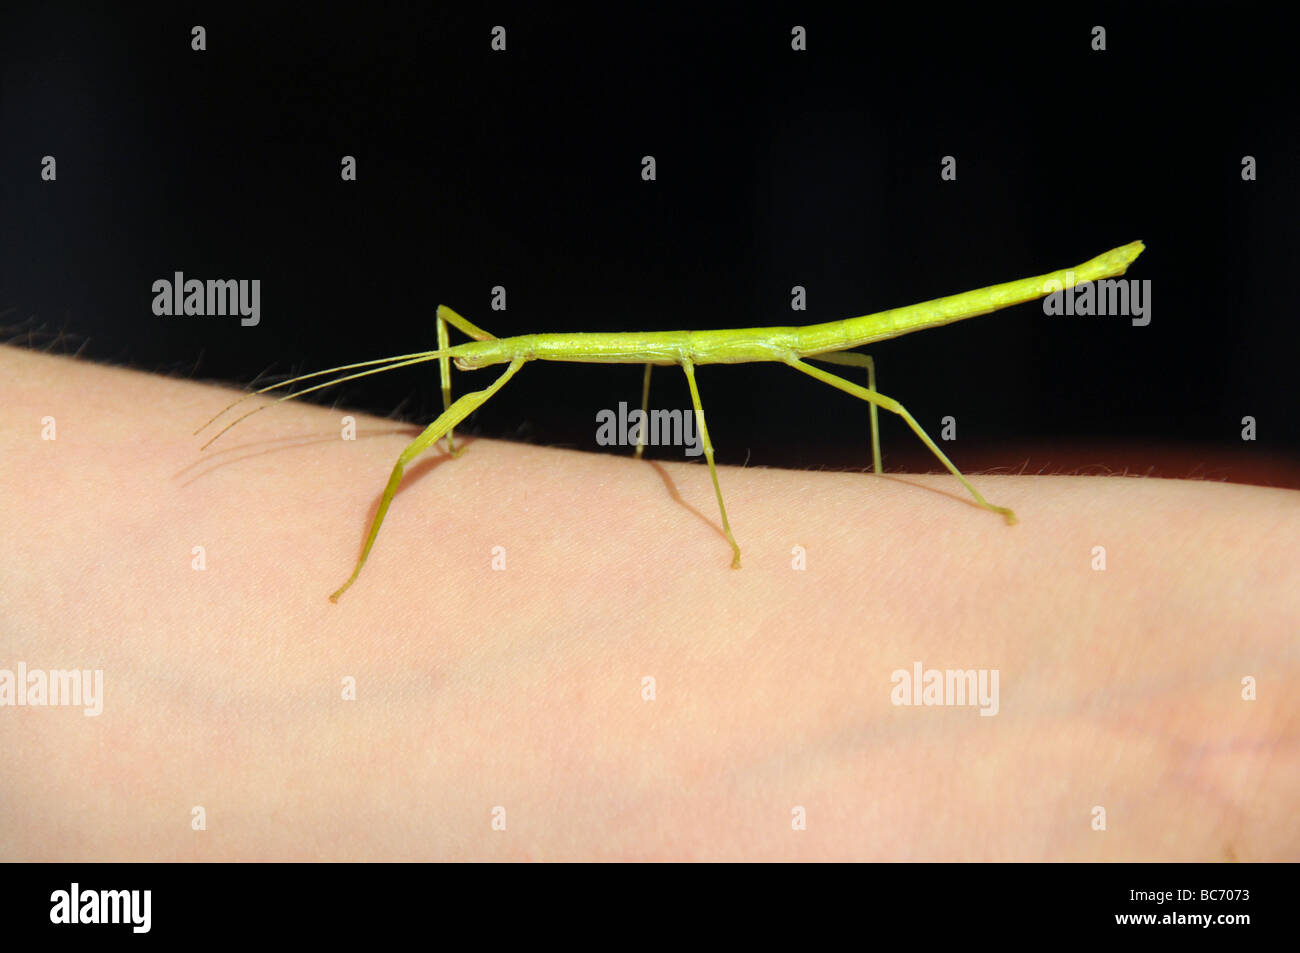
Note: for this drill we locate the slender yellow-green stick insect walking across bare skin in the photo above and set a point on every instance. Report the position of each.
(827, 344)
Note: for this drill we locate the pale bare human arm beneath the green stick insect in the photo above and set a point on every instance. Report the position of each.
(525, 688)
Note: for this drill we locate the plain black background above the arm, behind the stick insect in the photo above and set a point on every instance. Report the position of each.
(775, 168)
